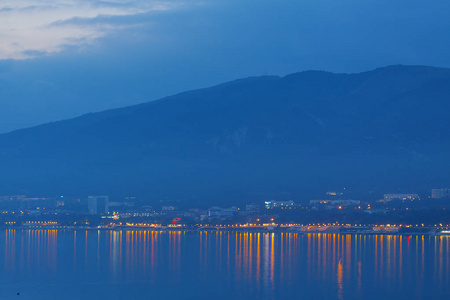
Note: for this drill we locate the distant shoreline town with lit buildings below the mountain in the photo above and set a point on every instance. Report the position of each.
(393, 214)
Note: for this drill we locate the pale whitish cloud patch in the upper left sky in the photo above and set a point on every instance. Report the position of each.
(30, 28)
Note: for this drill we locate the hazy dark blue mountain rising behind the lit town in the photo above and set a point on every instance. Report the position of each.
(295, 137)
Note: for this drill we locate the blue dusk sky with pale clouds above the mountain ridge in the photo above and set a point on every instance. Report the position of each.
(63, 58)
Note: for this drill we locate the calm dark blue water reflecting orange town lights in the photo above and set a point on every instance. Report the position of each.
(50, 264)
